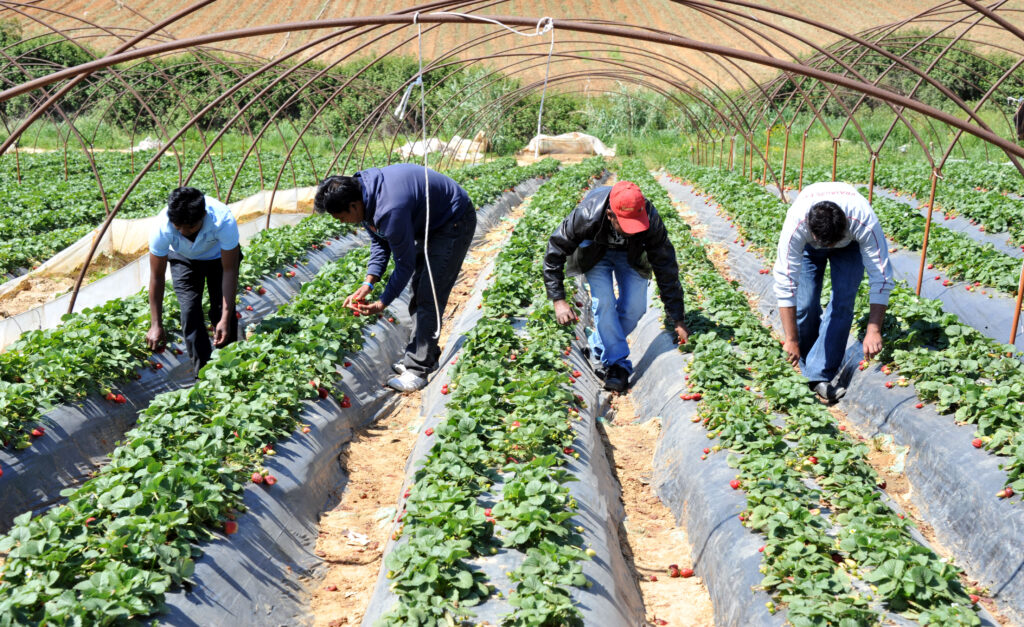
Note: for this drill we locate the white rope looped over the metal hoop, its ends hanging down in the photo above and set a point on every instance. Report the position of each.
(544, 25)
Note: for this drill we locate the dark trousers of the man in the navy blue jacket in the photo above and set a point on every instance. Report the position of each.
(448, 250)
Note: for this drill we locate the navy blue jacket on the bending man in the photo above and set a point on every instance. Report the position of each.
(397, 206)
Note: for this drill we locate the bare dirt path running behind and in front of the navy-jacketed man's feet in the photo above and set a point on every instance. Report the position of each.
(354, 534)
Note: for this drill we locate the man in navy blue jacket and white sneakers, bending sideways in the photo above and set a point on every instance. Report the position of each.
(392, 203)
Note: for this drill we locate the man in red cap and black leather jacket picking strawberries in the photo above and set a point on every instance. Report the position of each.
(615, 236)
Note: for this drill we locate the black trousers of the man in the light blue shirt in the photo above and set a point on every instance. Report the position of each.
(189, 277)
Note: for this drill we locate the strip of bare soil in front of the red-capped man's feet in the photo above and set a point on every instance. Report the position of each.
(653, 540)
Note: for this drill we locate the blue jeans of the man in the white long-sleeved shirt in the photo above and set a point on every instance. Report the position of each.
(823, 339)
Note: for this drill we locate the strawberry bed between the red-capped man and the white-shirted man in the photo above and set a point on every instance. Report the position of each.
(832, 548)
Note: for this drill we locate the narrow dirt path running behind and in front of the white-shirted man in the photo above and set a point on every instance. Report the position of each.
(883, 455)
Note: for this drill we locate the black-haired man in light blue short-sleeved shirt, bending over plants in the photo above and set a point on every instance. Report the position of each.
(199, 237)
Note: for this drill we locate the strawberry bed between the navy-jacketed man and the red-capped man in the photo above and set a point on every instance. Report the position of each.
(509, 485)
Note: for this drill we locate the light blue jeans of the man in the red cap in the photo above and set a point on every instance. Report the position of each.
(615, 319)
